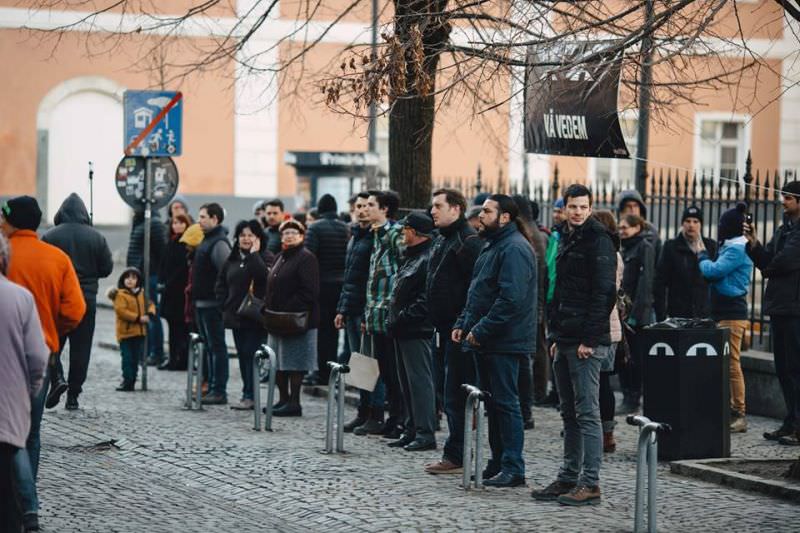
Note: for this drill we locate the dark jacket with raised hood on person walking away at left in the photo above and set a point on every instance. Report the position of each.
(85, 246)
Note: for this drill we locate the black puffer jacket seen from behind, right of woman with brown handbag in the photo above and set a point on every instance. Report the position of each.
(327, 239)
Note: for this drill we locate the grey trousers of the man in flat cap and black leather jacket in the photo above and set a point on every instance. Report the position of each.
(415, 374)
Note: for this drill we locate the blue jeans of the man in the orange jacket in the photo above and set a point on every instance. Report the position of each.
(26, 462)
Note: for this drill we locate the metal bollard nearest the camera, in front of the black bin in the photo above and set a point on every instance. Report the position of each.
(647, 454)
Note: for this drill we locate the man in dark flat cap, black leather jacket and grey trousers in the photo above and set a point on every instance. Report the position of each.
(410, 327)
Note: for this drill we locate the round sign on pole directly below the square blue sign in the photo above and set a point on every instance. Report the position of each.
(130, 180)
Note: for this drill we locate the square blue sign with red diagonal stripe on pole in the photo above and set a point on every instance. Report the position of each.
(153, 123)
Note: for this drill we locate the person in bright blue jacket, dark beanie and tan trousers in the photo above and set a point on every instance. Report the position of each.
(730, 276)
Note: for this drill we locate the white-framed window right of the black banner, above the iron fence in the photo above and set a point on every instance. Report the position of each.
(722, 148)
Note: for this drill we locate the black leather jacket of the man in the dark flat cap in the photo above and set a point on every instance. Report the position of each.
(408, 308)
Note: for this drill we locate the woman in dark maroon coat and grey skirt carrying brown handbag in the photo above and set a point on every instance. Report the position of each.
(293, 287)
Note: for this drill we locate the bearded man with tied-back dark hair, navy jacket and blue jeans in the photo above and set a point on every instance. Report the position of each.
(499, 324)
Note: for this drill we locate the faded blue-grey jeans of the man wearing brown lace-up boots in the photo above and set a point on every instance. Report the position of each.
(578, 382)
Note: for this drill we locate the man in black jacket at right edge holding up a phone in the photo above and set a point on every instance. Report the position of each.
(779, 262)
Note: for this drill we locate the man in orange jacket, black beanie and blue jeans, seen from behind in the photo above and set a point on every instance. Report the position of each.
(48, 273)
